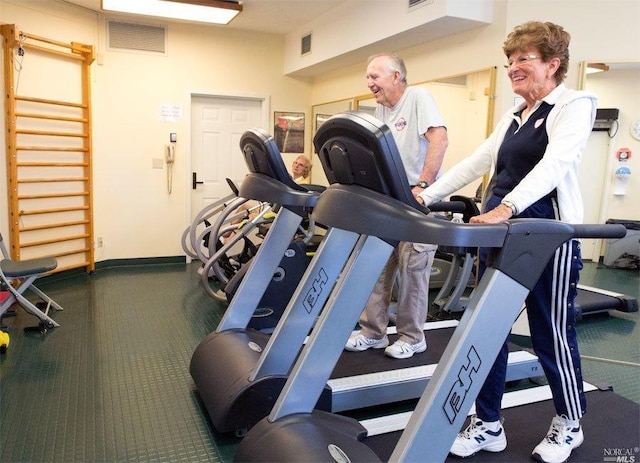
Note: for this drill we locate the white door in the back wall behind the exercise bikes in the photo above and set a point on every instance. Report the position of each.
(217, 123)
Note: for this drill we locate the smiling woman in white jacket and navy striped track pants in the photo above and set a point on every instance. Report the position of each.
(533, 156)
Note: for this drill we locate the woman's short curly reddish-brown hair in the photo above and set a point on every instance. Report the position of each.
(551, 40)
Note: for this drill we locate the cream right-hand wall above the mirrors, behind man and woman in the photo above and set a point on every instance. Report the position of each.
(593, 39)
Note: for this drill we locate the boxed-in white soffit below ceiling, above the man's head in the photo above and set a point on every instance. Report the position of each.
(350, 30)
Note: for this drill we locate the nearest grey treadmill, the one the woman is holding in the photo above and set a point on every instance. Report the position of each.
(360, 159)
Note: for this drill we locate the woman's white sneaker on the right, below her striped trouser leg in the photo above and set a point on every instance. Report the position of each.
(561, 439)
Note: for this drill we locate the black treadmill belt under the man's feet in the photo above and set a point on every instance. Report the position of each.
(375, 360)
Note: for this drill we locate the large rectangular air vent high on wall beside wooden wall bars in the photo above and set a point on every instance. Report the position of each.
(137, 37)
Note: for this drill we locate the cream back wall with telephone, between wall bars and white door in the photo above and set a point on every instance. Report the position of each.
(134, 214)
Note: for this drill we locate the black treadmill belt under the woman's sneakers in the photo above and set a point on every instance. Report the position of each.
(611, 424)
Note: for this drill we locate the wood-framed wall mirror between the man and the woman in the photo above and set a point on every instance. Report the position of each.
(466, 104)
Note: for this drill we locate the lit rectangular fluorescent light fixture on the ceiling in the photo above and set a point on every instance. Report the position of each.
(209, 11)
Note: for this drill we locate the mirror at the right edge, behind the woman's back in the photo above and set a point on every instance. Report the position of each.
(606, 196)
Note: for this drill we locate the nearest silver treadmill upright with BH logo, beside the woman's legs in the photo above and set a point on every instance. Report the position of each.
(464, 366)
